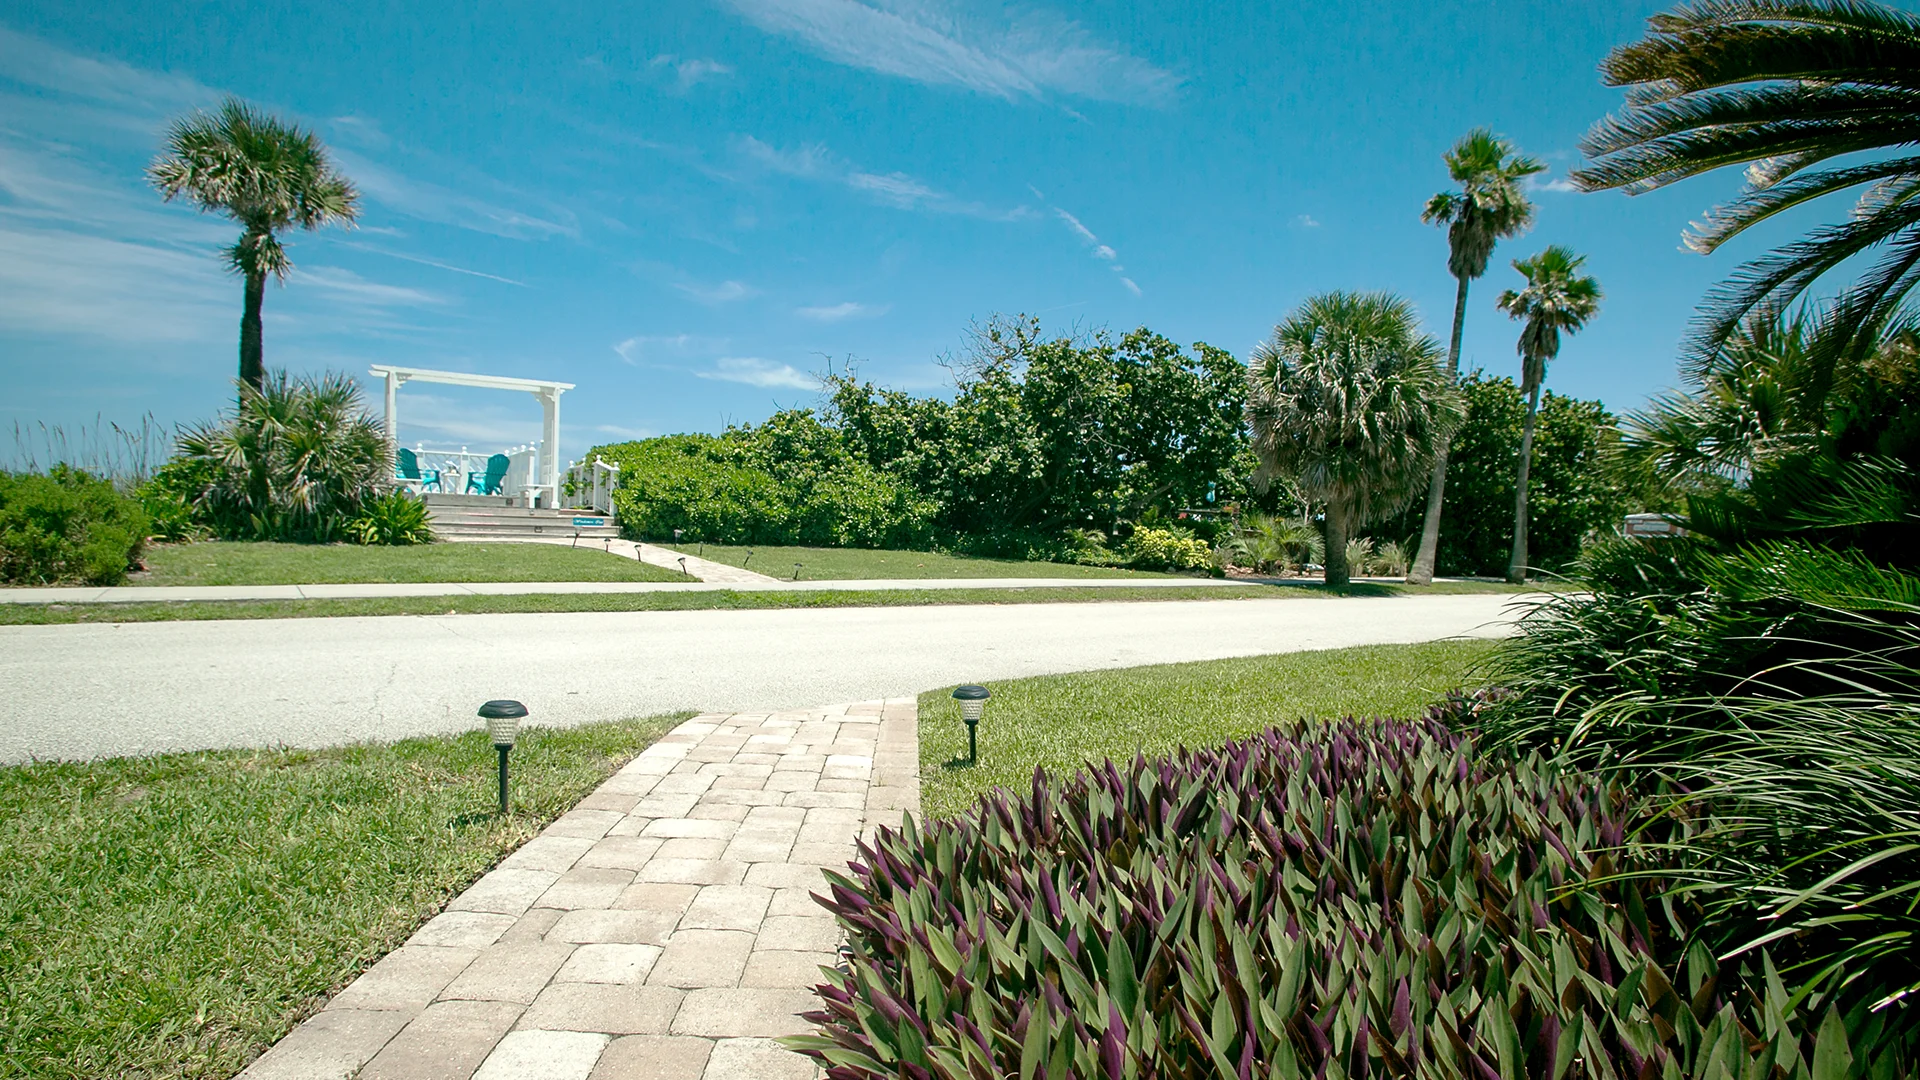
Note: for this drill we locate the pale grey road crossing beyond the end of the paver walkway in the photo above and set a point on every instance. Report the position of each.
(103, 691)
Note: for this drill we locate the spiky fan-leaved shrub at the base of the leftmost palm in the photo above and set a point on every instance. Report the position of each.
(297, 460)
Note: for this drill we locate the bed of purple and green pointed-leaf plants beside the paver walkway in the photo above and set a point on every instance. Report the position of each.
(1324, 900)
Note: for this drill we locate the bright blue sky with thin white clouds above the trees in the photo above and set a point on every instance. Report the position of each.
(688, 207)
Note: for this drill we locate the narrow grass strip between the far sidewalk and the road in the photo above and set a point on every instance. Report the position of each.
(719, 601)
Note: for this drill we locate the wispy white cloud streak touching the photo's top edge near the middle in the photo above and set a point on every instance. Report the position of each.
(1036, 55)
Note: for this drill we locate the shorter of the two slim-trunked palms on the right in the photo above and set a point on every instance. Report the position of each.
(1558, 299)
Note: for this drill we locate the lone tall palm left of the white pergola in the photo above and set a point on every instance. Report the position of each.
(266, 176)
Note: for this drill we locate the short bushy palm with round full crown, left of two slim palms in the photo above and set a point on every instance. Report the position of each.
(1349, 401)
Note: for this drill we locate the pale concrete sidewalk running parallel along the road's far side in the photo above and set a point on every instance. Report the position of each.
(143, 595)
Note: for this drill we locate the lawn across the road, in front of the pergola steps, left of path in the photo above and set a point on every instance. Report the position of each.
(218, 562)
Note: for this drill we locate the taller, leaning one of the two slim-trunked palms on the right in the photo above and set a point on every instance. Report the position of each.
(1487, 209)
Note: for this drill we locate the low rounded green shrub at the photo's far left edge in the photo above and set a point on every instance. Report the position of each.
(66, 528)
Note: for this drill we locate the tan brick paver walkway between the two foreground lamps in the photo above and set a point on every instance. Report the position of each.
(661, 931)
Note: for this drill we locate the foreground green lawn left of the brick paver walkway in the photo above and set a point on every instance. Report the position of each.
(176, 916)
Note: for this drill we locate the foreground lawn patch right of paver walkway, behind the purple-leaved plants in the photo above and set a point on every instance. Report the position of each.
(1063, 722)
